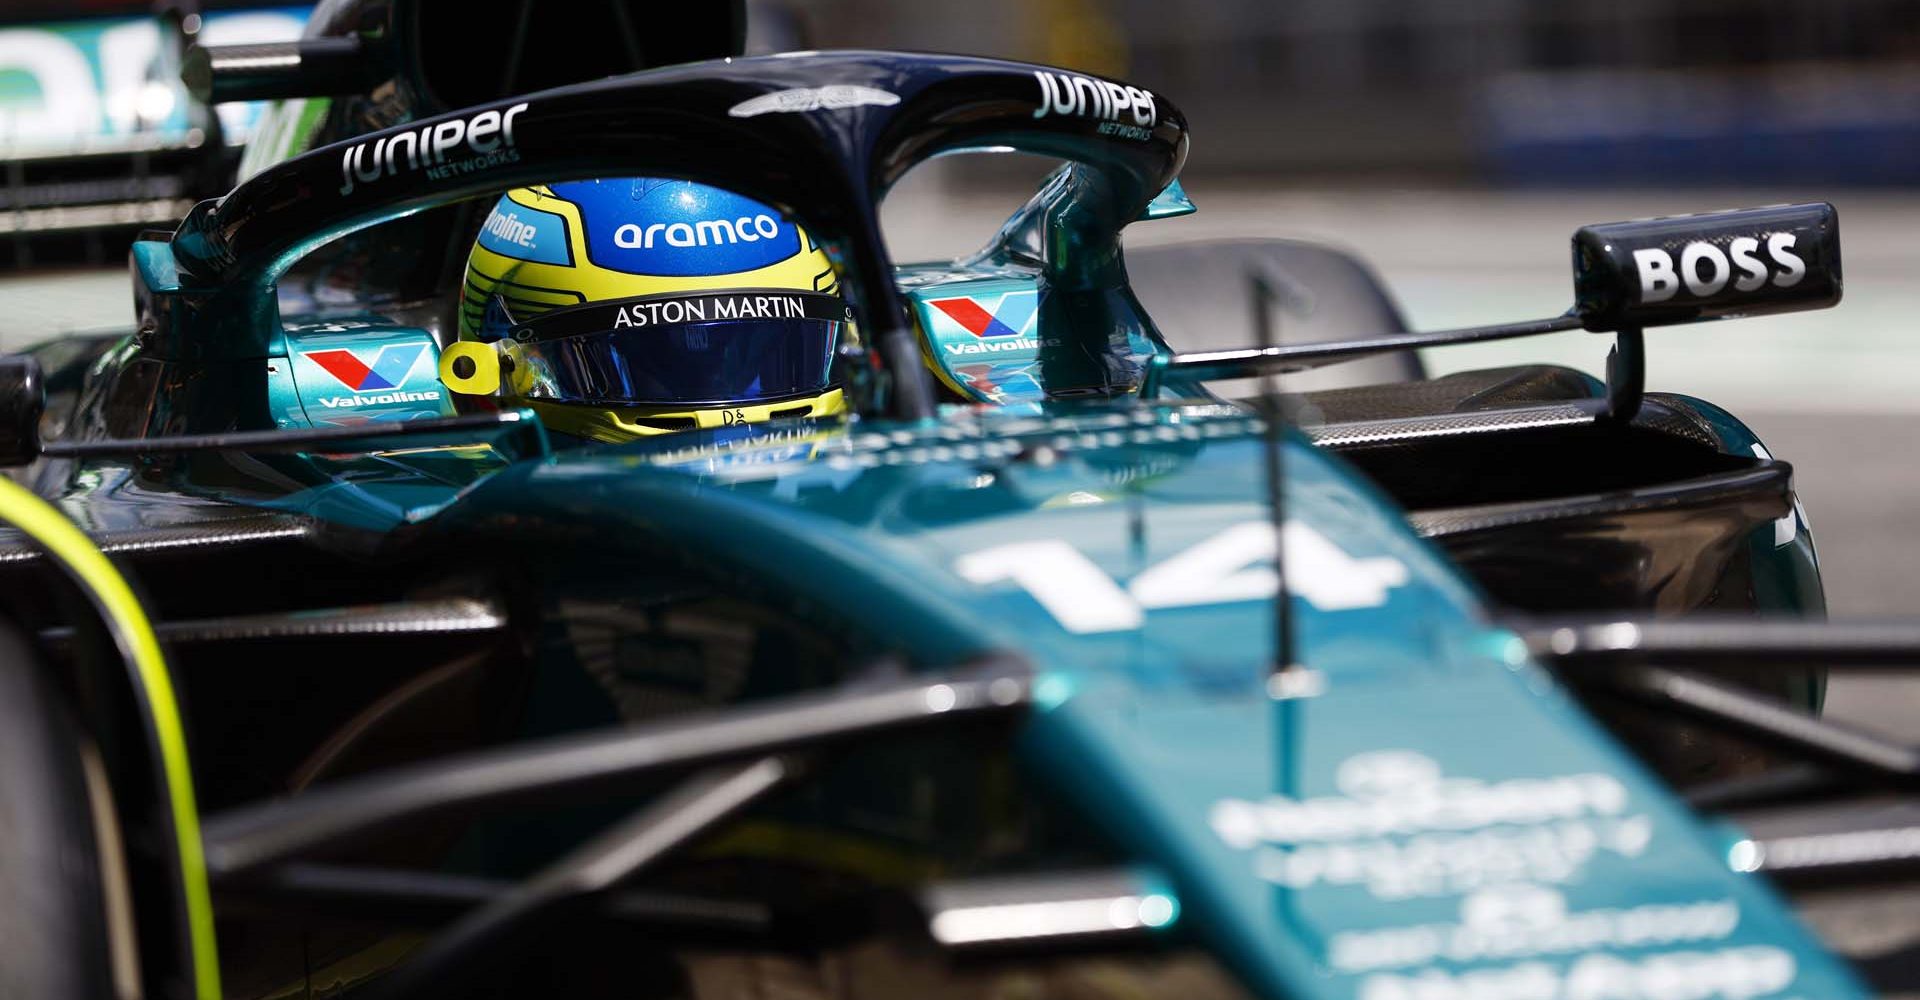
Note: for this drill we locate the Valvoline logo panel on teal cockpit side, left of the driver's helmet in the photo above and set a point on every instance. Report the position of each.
(354, 371)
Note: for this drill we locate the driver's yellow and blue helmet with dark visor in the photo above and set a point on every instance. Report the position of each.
(644, 306)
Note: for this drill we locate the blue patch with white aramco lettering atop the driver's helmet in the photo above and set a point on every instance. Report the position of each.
(679, 229)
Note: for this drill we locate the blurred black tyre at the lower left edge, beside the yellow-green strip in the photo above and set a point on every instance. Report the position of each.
(53, 915)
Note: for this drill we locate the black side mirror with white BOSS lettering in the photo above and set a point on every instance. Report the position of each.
(1692, 268)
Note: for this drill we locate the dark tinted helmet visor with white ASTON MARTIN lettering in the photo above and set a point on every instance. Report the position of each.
(708, 348)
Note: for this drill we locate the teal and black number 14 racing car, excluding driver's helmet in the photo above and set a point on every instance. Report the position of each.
(1092, 684)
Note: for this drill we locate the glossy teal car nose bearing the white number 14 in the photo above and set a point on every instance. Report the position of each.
(1431, 817)
